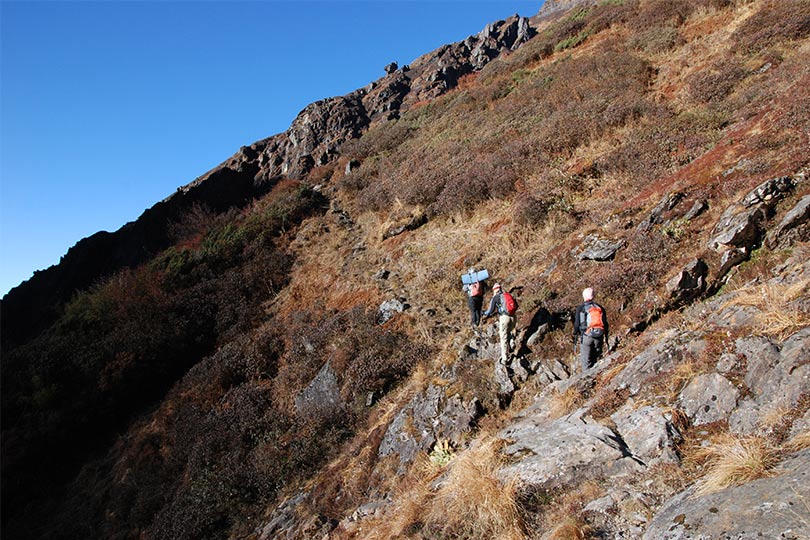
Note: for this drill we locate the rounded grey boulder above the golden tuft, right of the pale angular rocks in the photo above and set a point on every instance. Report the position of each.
(709, 398)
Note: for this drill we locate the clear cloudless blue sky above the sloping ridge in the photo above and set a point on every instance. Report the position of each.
(109, 106)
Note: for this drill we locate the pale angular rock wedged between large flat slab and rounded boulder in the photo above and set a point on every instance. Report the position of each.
(648, 434)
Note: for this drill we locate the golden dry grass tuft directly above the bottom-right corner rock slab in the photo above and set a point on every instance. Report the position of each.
(732, 461)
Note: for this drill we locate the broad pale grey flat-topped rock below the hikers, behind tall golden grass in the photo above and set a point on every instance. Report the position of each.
(563, 451)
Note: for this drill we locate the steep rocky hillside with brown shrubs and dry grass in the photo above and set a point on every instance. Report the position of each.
(291, 357)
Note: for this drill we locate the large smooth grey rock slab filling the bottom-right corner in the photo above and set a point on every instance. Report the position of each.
(772, 508)
